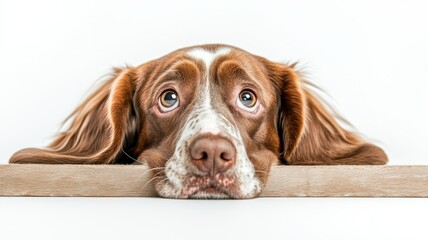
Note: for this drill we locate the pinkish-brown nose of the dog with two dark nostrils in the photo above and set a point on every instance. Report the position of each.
(212, 154)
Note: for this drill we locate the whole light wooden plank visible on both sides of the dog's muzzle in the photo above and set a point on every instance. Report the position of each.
(284, 181)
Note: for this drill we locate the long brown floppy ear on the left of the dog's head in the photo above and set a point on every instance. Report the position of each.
(99, 128)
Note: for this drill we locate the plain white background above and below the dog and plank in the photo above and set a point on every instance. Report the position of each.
(370, 56)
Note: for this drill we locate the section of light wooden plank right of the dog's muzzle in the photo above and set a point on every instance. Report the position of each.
(348, 181)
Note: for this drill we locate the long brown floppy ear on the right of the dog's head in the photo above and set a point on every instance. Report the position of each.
(309, 133)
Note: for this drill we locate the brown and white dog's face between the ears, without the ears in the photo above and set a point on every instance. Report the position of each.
(214, 114)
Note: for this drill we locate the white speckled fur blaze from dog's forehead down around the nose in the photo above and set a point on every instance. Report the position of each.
(205, 119)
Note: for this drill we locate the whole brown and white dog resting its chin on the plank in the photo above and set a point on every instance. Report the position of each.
(210, 121)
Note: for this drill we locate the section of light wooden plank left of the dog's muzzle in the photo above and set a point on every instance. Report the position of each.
(75, 180)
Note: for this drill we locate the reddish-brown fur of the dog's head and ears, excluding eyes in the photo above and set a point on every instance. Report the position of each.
(121, 116)
